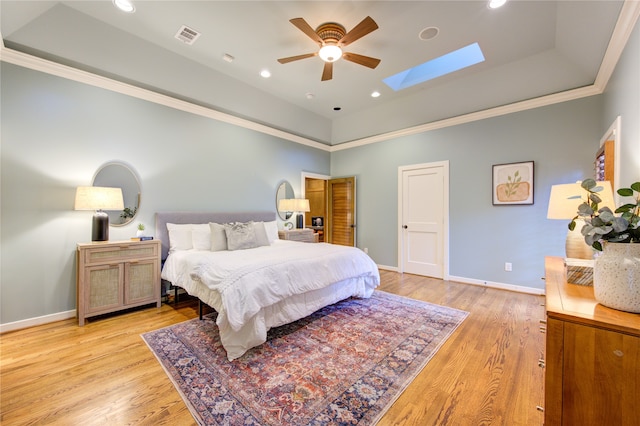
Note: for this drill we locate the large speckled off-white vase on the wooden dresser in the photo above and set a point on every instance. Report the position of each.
(616, 277)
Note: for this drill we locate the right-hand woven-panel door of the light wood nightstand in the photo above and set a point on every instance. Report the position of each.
(141, 281)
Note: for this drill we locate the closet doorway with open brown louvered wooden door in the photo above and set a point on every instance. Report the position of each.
(332, 200)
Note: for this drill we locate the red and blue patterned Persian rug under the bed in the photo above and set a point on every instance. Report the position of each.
(345, 364)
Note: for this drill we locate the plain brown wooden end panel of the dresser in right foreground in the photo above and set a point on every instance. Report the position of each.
(601, 376)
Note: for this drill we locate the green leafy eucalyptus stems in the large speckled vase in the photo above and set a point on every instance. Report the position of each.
(602, 224)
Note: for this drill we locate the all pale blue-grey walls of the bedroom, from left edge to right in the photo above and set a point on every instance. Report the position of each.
(57, 133)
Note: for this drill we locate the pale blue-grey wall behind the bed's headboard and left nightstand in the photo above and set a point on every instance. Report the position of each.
(56, 133)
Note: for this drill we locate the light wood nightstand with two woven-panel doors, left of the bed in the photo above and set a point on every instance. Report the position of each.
(117, 275)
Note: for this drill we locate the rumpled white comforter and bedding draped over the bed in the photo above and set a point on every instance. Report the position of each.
(256, 289)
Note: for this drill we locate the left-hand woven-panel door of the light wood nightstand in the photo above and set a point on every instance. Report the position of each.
(103, 290)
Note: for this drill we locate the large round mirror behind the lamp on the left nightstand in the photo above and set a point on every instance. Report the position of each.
(120, 175)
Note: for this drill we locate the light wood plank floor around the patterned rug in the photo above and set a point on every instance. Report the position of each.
(103, 373)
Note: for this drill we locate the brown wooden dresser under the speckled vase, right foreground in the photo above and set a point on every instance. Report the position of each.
(592, 360)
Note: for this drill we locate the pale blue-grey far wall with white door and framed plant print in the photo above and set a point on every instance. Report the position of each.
(561, 139)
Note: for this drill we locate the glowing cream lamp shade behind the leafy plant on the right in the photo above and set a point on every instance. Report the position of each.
(562, 206)
